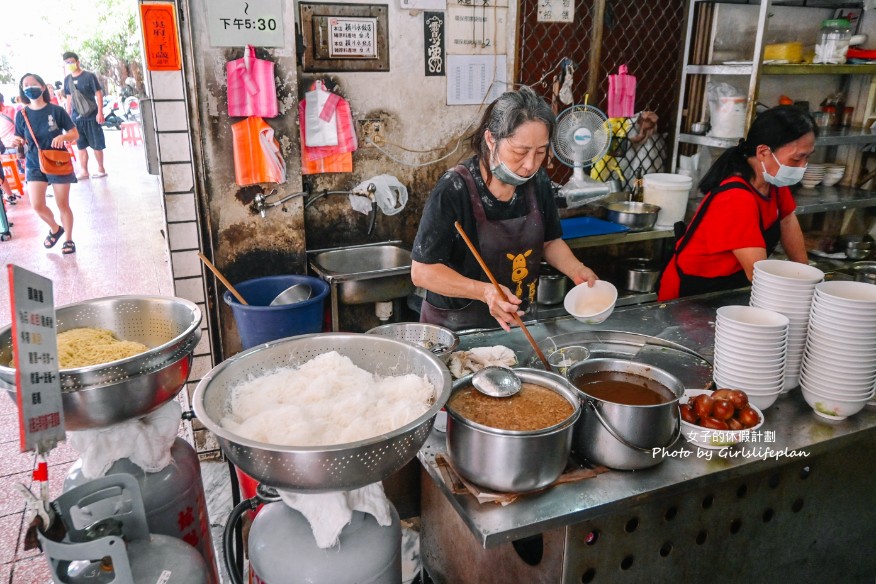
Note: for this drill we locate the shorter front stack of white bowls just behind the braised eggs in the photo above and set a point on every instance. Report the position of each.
(750, 346)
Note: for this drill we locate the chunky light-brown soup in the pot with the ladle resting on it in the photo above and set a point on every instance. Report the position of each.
(534, 407)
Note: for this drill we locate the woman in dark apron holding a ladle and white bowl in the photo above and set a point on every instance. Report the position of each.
(504, 202)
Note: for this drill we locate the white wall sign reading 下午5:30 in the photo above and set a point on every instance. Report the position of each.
(237, 23)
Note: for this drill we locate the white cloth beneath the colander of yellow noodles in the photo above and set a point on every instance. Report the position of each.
(145, 441)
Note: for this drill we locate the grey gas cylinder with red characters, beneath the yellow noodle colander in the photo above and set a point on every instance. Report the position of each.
(173, 498)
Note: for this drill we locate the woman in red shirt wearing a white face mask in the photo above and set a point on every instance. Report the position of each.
(748, 208)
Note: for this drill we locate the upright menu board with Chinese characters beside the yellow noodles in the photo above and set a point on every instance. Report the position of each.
(35, 349)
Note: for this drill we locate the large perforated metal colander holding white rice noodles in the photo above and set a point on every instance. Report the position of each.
(322, 468)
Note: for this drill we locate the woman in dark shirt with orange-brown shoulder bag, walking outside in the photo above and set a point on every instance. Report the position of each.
(45, 128)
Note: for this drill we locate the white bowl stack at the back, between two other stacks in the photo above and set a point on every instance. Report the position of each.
(787, 288)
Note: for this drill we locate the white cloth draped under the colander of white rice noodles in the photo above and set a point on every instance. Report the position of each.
(328, 513)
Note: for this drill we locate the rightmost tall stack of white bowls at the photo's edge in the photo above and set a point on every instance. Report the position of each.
(839, 363)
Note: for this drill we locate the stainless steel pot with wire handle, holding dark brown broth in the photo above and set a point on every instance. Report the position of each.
(623, 436)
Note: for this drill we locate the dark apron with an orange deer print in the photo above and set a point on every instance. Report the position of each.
(512, 250)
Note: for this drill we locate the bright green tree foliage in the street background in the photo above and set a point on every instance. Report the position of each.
(110, 45)
